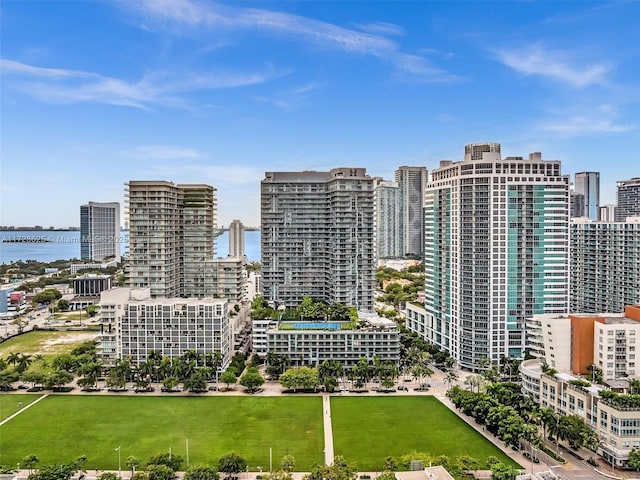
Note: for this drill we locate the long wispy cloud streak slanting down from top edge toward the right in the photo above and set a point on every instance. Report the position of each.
(192, 13)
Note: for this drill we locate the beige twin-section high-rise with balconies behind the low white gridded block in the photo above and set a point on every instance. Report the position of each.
(171, 241)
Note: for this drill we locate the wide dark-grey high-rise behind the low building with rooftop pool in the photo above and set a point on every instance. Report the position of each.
(317, 237)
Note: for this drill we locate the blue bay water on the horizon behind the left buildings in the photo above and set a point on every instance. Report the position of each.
(47, 246)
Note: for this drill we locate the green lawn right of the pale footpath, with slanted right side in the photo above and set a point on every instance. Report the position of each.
(366, 430)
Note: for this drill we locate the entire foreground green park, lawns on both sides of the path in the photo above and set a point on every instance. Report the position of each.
(366, 430)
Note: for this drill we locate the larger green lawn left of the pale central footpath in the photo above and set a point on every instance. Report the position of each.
(62, 427)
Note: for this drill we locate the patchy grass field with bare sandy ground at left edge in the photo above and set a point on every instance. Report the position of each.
(48, 343)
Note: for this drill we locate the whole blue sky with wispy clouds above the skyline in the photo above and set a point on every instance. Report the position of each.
(95, 93)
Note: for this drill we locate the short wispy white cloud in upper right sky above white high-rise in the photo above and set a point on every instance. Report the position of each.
(537, 60)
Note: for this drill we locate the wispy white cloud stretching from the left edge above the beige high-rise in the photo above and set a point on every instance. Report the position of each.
(164, 88)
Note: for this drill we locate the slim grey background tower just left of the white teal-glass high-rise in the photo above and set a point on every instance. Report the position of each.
(411, 184)
